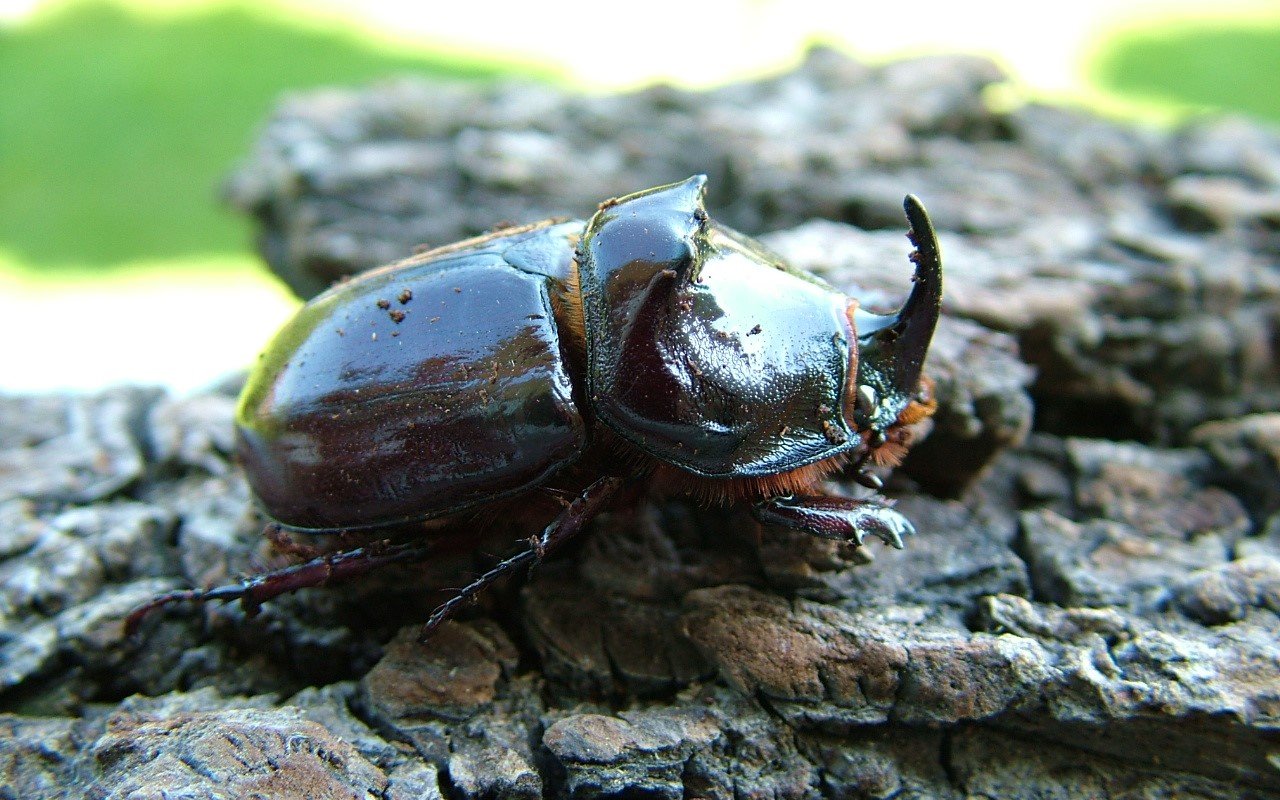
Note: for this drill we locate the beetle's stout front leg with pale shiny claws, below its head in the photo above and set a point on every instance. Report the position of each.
(835, 518)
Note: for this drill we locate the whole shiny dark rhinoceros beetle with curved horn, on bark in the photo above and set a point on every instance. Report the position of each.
(650, 345)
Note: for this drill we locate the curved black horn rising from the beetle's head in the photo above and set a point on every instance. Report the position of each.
(892, 349)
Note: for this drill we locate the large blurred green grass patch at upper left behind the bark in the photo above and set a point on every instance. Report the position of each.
(117, 127)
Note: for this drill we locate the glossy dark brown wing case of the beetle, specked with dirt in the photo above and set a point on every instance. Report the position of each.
(417, 391)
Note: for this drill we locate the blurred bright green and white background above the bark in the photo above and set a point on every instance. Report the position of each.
(120, 121)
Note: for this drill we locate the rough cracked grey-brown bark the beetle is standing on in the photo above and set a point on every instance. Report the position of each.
(1090, 609)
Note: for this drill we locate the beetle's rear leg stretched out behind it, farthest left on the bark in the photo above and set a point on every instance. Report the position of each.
(257, 589)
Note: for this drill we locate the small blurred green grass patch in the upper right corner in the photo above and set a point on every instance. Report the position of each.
(1219, 65)
